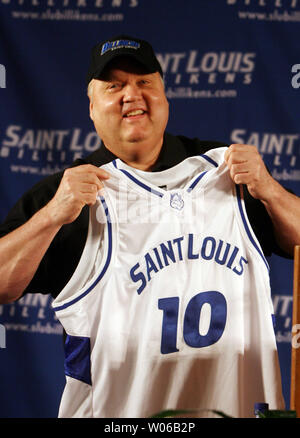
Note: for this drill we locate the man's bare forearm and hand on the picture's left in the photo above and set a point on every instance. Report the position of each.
(22, 250)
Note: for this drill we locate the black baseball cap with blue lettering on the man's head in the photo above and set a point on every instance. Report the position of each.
(122, 45)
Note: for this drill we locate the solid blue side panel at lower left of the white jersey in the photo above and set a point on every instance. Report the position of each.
(78, 358)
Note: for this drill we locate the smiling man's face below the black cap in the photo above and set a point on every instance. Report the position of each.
(129, 108)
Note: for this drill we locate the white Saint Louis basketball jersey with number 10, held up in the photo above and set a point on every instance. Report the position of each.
(170, 305)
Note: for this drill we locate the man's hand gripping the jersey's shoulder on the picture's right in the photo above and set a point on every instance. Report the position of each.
(247, 167)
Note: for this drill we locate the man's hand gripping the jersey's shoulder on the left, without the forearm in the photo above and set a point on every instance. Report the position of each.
(78, 187)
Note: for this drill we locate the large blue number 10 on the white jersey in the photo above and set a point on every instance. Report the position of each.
(192, 334)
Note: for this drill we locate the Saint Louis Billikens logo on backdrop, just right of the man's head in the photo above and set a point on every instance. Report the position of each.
(213, 74)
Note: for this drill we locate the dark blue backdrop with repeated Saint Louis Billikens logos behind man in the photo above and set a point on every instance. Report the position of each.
(232, 71)
